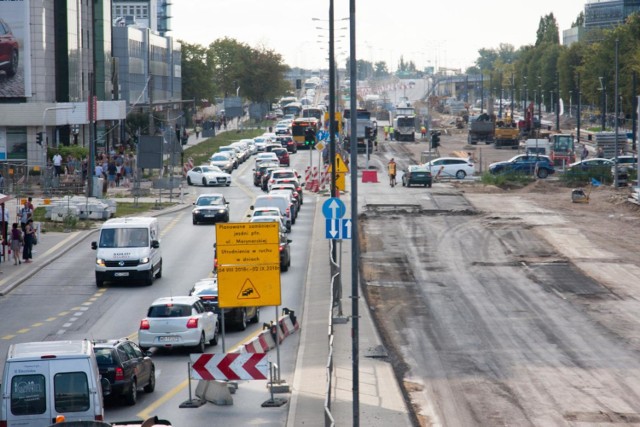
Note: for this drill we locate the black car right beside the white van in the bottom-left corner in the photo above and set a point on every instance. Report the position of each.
(126, 367)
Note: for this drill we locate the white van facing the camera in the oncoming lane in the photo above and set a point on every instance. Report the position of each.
(128, 250)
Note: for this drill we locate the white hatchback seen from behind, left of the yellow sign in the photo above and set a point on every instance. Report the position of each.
(180, 321)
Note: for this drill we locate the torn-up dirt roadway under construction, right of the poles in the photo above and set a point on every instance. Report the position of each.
(504, 307)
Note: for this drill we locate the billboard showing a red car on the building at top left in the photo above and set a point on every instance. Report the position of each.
(15, 49)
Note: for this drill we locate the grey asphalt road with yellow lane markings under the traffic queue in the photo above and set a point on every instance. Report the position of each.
(63, 302)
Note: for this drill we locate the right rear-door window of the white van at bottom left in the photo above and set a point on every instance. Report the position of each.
(71, 392)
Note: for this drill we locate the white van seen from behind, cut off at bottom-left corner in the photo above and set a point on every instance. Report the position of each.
(43, 380)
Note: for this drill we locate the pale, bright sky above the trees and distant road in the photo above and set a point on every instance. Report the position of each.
(428, 32)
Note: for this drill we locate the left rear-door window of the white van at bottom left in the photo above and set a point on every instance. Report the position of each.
(28, 395)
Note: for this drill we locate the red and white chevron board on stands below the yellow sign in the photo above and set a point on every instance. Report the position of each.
(229, 366)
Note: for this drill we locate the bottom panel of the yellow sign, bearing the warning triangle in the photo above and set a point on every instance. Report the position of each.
(249, 285)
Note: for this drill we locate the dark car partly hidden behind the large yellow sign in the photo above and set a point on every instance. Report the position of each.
(207, 291)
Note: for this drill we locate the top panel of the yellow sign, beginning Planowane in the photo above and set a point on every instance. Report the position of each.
(246, 234)
